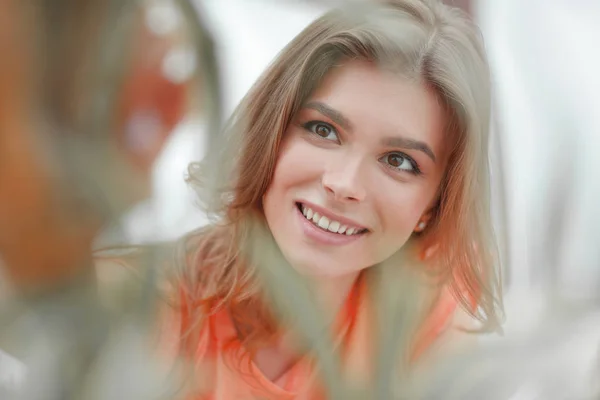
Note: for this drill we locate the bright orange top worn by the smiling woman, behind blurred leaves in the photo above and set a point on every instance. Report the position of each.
(225, 367)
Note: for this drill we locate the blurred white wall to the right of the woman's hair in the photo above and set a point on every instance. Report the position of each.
(545, 61)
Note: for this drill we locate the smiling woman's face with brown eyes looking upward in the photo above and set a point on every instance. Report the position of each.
(359, 168)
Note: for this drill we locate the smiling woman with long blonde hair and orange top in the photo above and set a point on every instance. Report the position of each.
(367, 136)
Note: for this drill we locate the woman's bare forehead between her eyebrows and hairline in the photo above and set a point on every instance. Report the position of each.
(379, 102)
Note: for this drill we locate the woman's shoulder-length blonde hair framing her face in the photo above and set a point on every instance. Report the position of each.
(422, 40)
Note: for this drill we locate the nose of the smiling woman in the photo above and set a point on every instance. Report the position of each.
(343, 182)
